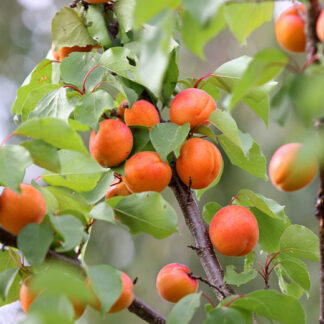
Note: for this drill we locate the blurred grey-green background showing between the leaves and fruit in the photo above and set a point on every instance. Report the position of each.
(25, 40)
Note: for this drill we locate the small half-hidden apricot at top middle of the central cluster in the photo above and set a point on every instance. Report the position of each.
(142, 113)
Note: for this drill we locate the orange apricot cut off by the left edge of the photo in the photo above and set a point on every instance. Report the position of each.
(18, 210)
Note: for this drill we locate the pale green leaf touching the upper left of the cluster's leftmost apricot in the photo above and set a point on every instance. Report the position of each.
(91, 106)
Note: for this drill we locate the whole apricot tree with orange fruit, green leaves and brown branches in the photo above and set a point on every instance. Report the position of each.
(112, 124)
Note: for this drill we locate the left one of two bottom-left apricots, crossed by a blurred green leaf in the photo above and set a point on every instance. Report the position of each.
(27, 297)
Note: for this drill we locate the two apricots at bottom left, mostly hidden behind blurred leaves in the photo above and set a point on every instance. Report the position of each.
(27, 297)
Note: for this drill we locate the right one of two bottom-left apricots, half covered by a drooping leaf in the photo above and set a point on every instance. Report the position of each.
(125, 299)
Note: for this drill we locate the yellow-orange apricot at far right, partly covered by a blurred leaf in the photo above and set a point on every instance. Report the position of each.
(289, 170)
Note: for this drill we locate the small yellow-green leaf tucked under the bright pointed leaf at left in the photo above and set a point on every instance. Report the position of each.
(69, 199)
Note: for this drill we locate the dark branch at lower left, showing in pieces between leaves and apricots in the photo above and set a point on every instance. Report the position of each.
(138, 307)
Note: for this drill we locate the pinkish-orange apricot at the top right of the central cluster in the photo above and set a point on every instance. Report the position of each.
(192, 106)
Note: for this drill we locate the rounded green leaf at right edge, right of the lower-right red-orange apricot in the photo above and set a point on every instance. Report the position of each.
(300, 242)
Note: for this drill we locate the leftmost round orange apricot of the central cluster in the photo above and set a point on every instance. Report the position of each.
(112, 144)
